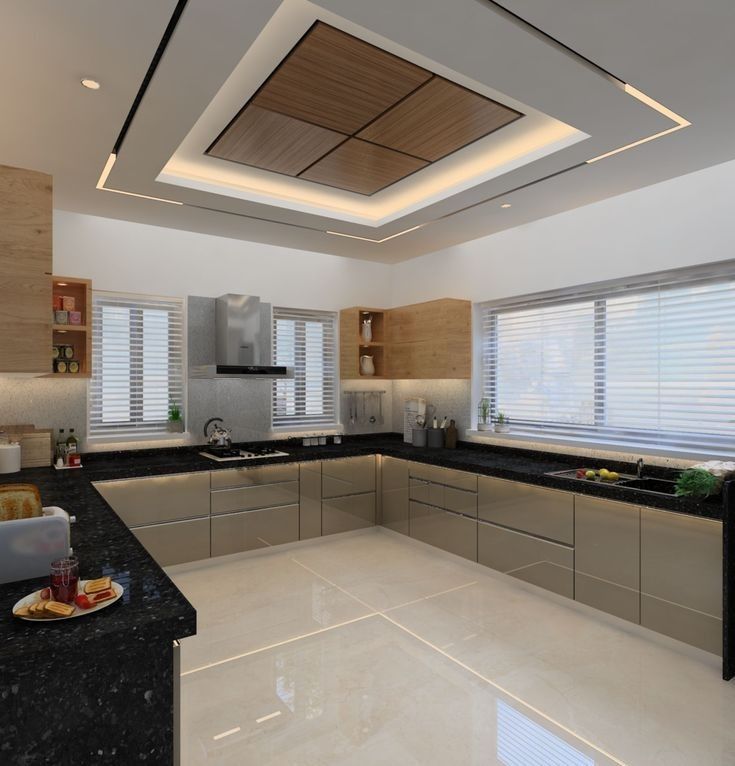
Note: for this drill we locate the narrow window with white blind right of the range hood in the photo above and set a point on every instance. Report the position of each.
(306, 341)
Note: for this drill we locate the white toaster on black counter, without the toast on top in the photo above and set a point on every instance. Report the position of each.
(28, 546)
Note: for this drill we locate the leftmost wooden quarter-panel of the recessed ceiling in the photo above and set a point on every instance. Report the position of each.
(274, 141)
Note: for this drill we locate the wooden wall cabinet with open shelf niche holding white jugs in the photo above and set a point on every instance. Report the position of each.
(431, 340)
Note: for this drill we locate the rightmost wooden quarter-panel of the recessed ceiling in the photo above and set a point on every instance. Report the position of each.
(437, 119)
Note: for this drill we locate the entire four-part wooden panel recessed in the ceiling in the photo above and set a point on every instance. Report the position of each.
(341, 112)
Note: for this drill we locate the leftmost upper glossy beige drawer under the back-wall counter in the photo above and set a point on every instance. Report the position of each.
(154, 499)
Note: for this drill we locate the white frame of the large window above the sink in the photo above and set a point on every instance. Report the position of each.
(598, 433)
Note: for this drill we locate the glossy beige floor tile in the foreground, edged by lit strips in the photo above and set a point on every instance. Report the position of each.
(365, 693)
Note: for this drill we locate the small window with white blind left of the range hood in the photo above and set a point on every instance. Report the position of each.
(137, 364)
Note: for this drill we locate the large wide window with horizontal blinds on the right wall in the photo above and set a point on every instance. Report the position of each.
(648, 361)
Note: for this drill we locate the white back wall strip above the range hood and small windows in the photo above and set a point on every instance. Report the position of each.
(137, 258)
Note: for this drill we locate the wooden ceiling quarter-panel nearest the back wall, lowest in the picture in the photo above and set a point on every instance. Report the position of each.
(362, 167)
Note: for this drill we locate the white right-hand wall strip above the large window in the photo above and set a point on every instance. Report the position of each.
(684, 221)
